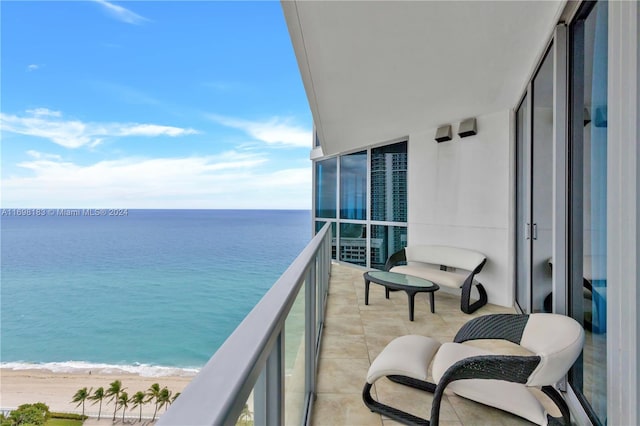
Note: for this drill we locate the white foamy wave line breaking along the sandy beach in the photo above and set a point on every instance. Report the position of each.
(144, 370)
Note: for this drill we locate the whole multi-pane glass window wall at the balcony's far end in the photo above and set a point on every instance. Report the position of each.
(358, 240)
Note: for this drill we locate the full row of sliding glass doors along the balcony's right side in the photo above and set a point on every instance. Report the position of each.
(581, 287)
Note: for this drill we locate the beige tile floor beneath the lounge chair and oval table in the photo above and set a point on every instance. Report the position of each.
(354, 334)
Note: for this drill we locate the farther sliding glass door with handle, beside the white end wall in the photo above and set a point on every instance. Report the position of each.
(534, 148)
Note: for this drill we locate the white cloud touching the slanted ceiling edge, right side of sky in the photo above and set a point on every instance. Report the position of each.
(276, 131)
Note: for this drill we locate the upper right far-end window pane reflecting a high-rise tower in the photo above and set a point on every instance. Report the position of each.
(389, 183)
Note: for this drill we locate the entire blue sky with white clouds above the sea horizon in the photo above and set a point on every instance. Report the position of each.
(143, 104)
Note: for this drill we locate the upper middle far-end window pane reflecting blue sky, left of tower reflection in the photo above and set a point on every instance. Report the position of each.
(353, 186)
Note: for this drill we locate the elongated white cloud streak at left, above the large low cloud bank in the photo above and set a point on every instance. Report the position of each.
(49, 124)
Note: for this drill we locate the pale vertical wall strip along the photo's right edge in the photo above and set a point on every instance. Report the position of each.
(623, 215)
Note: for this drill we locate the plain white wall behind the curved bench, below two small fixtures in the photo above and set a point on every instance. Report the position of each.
(459, 195)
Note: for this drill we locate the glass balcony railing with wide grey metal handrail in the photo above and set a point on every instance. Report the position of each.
(265, 372)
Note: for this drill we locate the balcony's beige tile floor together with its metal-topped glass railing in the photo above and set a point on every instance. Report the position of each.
(301, 355)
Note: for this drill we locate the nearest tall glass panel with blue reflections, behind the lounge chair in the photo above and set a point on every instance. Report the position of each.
(588, 204)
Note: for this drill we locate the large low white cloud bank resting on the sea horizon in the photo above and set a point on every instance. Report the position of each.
(228, 180)
